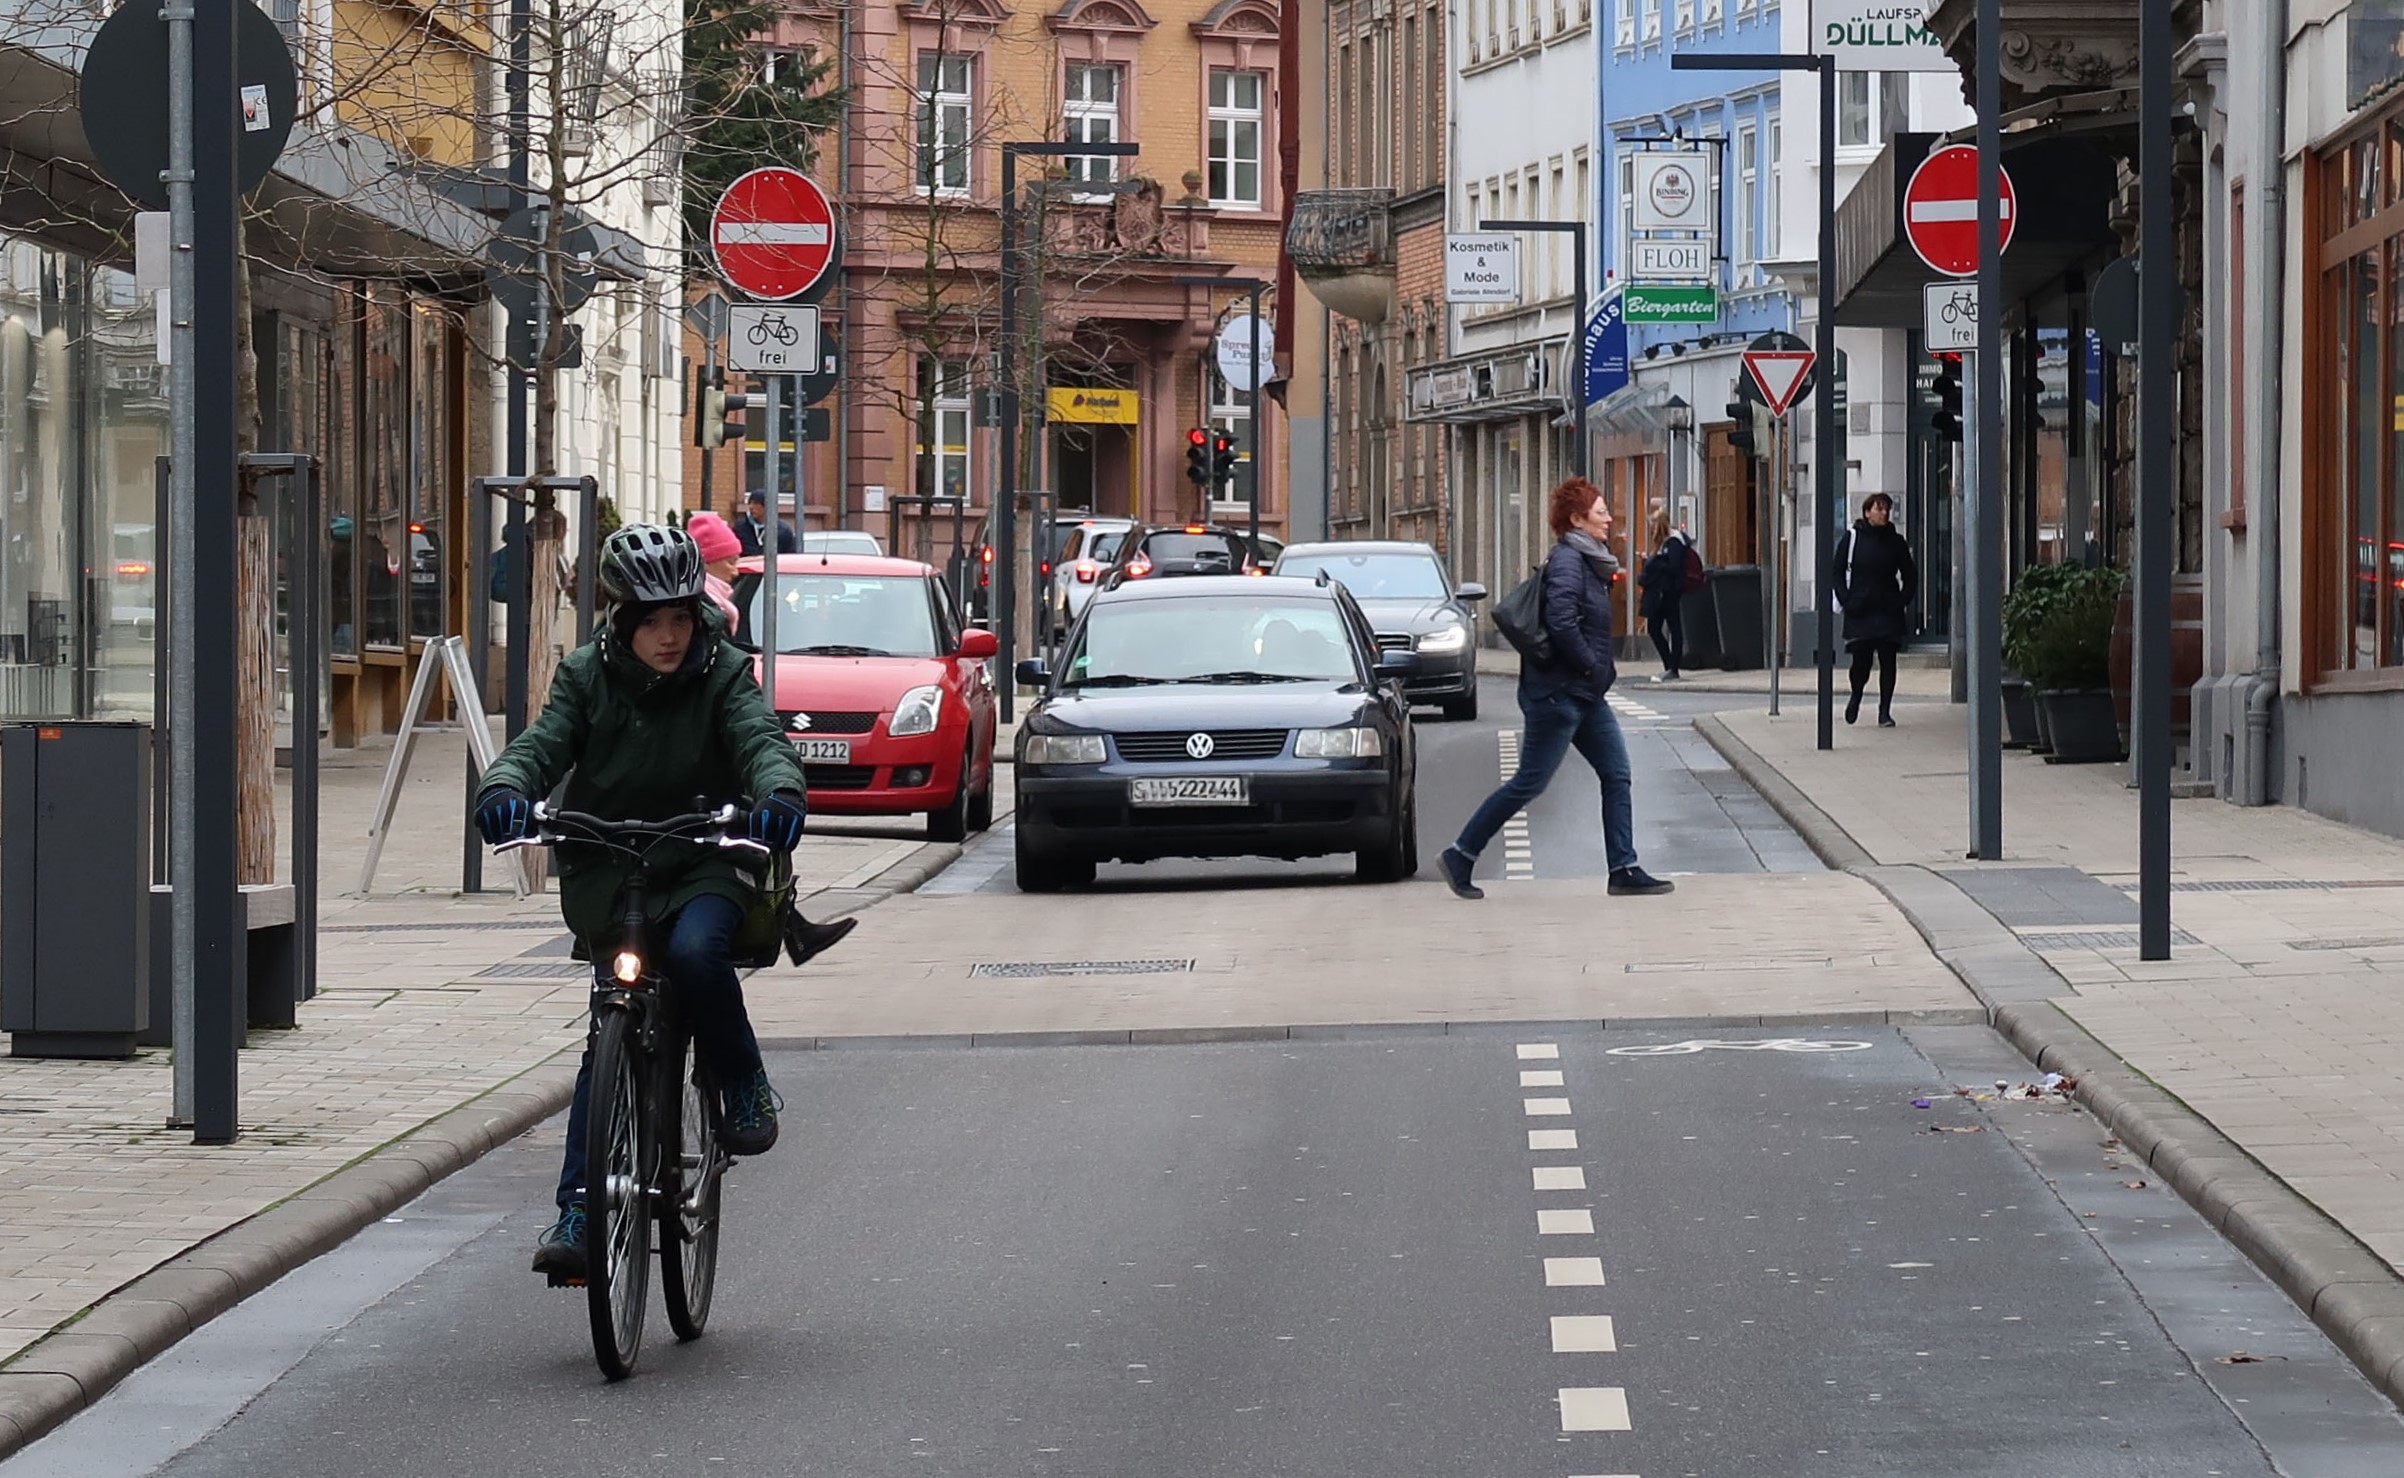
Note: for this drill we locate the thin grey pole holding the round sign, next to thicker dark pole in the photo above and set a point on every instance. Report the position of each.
(184, 616)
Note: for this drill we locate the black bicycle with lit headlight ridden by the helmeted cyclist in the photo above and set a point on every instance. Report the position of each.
(650, 1087)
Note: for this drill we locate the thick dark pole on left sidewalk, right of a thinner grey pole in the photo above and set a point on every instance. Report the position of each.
(218, 905)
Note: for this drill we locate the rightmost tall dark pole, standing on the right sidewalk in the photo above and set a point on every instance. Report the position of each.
(2158, 328)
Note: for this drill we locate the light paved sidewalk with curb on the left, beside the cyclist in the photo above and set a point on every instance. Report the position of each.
(444, 1025)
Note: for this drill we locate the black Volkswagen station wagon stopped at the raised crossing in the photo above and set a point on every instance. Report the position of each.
(1218, 717)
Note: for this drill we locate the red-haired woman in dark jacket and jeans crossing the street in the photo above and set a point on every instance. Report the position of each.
(1564, 701)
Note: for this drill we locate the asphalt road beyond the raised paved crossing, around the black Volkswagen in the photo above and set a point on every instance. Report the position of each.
(1694, 814)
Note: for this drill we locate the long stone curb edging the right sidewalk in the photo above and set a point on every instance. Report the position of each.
(2352, 1294)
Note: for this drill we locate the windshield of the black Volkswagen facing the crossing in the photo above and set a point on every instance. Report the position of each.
(1210, 640)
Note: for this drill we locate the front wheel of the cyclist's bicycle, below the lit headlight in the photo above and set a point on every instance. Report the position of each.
(619, 1174)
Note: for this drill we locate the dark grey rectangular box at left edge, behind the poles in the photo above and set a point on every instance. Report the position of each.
(76, 866)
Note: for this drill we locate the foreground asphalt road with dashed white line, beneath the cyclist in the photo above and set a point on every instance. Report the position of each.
(1384, 1258)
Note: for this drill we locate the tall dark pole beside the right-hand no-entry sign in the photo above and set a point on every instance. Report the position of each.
(1985, 393)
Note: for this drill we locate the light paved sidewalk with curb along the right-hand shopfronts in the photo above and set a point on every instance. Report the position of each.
(2271, 1044)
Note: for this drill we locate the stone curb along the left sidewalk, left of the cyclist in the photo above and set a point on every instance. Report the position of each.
(69, 1371)
